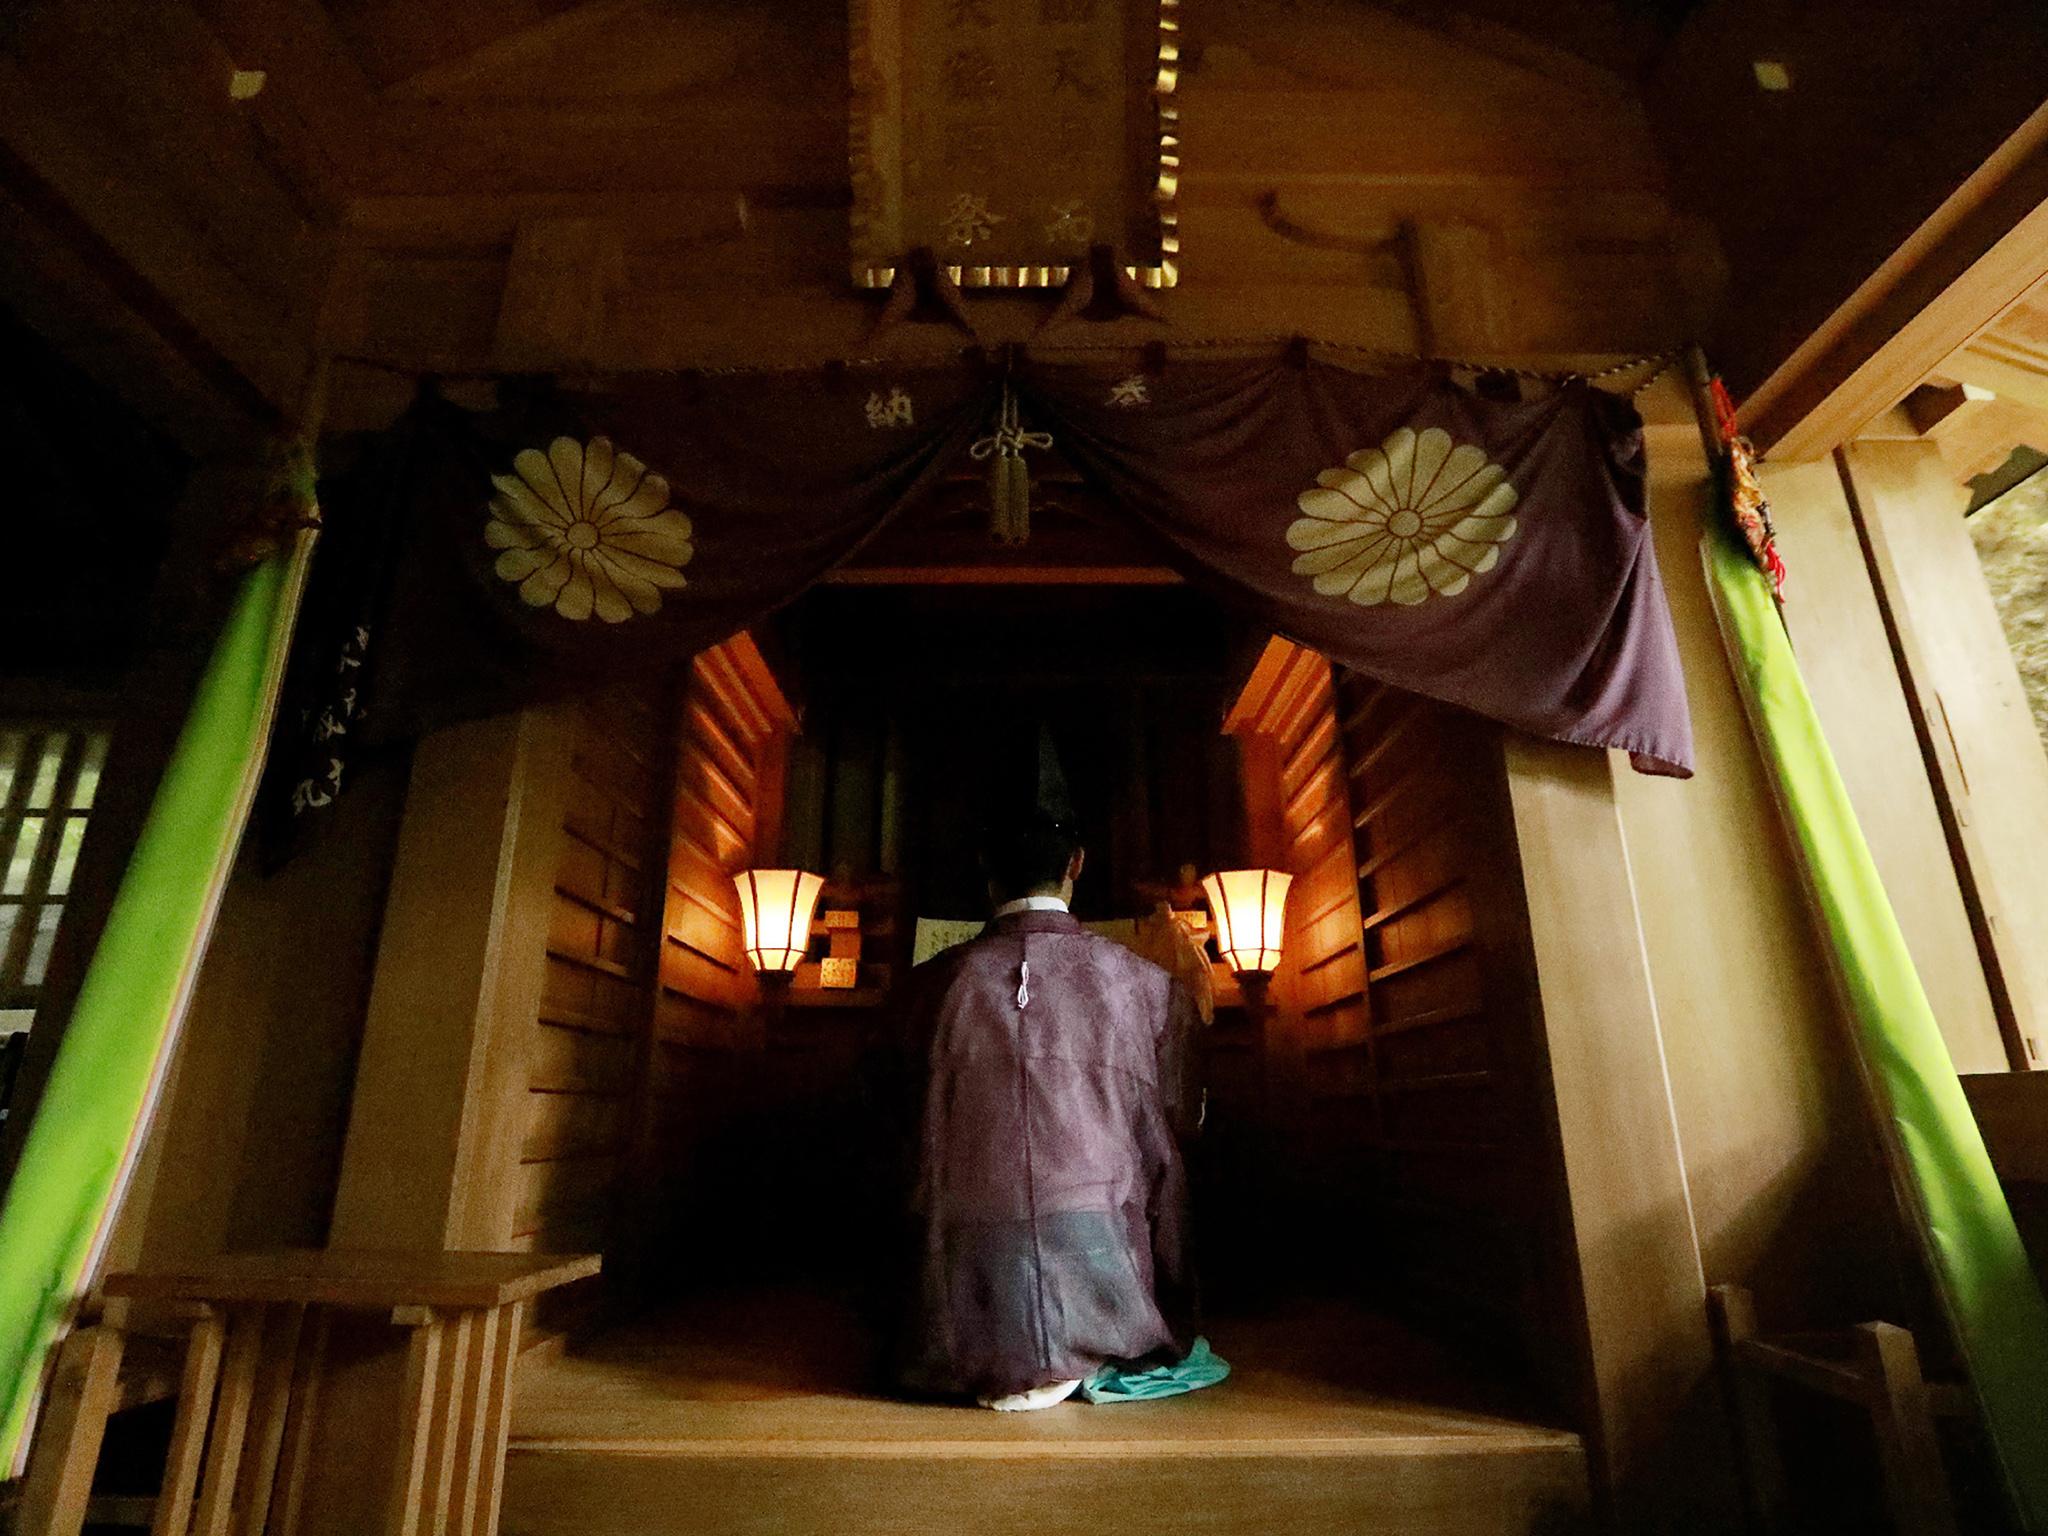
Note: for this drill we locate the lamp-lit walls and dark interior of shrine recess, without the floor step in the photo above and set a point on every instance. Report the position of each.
(1377, 1121)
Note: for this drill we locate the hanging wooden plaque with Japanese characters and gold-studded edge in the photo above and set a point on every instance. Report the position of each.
(1013, 136)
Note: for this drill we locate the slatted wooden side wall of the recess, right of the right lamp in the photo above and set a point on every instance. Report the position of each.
(1457, 1103)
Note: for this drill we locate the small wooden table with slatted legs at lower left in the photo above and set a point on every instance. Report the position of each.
(257, 1406)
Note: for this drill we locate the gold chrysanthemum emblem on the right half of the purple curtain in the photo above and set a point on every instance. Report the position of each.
(1416, 517)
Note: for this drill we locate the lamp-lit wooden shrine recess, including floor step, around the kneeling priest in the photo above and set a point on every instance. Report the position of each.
(1381, 1211)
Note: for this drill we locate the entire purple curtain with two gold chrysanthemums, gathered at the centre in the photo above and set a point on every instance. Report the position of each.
(1490, 554)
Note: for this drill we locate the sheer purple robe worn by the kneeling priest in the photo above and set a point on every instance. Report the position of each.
(1052, 1201)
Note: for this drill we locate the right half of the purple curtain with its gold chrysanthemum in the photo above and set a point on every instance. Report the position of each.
(1490, 554)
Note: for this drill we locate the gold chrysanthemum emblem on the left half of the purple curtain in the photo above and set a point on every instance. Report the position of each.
(587, 531)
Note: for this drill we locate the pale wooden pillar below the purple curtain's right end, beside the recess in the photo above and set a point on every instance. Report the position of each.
(1648, 1345)
